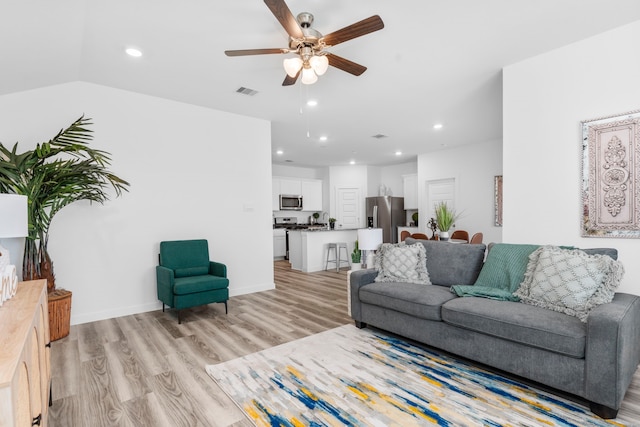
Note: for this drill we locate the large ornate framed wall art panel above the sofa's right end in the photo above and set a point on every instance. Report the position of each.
(611, 176)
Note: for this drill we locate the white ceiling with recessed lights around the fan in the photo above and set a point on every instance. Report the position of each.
(436, 61)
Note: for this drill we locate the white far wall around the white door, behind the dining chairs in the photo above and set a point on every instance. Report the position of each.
(474, 167)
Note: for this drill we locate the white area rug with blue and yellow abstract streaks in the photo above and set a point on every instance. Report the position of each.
(359, 377)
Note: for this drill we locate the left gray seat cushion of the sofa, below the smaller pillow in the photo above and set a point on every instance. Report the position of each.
(410, 298)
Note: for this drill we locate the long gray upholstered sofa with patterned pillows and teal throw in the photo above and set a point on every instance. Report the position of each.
(595, 360)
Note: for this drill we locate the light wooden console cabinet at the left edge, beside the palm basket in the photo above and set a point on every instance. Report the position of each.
(25, 369)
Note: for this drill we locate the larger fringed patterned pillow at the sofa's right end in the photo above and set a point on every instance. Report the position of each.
(569, 281)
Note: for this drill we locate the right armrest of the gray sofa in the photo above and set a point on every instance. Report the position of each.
(613, 349)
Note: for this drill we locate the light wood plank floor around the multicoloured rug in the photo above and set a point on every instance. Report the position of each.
(146, 370)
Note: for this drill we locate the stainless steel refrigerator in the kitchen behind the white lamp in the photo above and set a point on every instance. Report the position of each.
(386, 212)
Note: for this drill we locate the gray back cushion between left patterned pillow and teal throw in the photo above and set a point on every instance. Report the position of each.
(450, 263)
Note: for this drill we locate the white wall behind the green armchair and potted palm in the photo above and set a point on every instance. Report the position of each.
(194, 173)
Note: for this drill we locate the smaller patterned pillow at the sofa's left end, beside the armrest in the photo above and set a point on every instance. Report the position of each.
(402, 263)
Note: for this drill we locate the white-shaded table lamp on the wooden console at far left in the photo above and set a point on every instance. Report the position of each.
(13, 223)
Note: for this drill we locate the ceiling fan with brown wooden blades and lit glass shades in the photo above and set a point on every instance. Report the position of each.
(309, 45)
